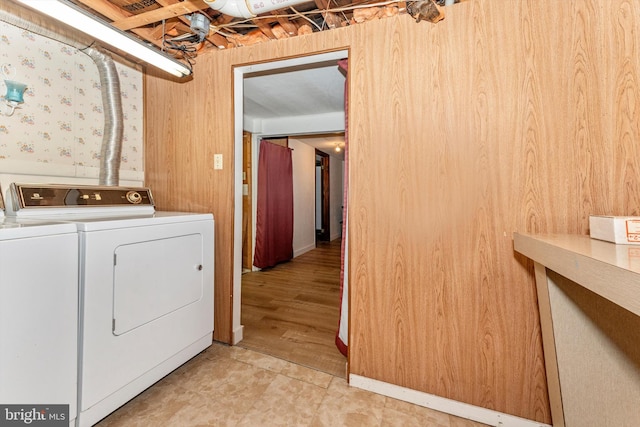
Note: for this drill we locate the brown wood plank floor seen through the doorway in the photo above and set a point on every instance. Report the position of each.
(291, 311)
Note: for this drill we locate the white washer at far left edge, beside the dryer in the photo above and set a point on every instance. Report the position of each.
(38, 313)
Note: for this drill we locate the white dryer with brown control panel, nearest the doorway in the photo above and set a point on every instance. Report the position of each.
(146, 288)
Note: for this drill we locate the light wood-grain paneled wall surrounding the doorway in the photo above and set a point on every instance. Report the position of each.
(506, 116)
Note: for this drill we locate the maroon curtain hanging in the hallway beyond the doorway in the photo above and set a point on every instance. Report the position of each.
(274, 220)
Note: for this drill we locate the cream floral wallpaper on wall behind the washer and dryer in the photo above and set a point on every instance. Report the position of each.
(59, 128)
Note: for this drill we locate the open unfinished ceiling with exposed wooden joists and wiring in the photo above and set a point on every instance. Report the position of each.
(186, 29)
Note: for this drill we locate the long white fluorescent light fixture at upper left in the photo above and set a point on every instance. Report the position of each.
(76, 17)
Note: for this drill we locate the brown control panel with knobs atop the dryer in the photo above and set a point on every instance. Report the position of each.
(27, 196)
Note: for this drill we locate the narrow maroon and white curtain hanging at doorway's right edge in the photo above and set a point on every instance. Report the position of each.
(341, 333)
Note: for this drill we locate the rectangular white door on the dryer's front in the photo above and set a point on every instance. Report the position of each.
(155, 278)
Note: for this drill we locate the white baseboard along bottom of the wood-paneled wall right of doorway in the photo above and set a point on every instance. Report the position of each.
(442, 404)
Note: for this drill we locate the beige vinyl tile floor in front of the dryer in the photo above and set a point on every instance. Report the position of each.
(233, 386)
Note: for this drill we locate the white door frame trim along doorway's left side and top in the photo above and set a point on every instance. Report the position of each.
(238, 97)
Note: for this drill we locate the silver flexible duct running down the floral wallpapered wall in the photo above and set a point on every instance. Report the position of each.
(110, 85)
